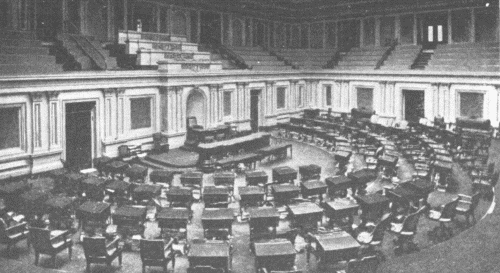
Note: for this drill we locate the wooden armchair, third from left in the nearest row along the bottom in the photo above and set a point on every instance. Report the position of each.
(98, 252)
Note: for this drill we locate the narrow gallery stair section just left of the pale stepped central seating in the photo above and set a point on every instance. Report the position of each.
(87, 52)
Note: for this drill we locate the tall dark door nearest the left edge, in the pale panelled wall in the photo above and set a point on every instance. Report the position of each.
(79, 131)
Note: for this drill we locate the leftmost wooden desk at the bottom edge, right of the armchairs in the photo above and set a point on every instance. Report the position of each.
(217, 255)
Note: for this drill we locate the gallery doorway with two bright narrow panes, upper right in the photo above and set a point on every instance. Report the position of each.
(434, 30)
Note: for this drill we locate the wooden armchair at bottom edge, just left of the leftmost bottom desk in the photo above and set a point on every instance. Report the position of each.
(155, 253)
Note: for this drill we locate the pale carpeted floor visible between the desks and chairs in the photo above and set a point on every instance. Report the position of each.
(243, 260)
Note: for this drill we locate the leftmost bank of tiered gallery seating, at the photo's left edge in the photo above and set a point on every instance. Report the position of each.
(21, 53)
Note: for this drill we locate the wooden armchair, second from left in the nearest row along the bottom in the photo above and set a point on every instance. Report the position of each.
(50, 243)
